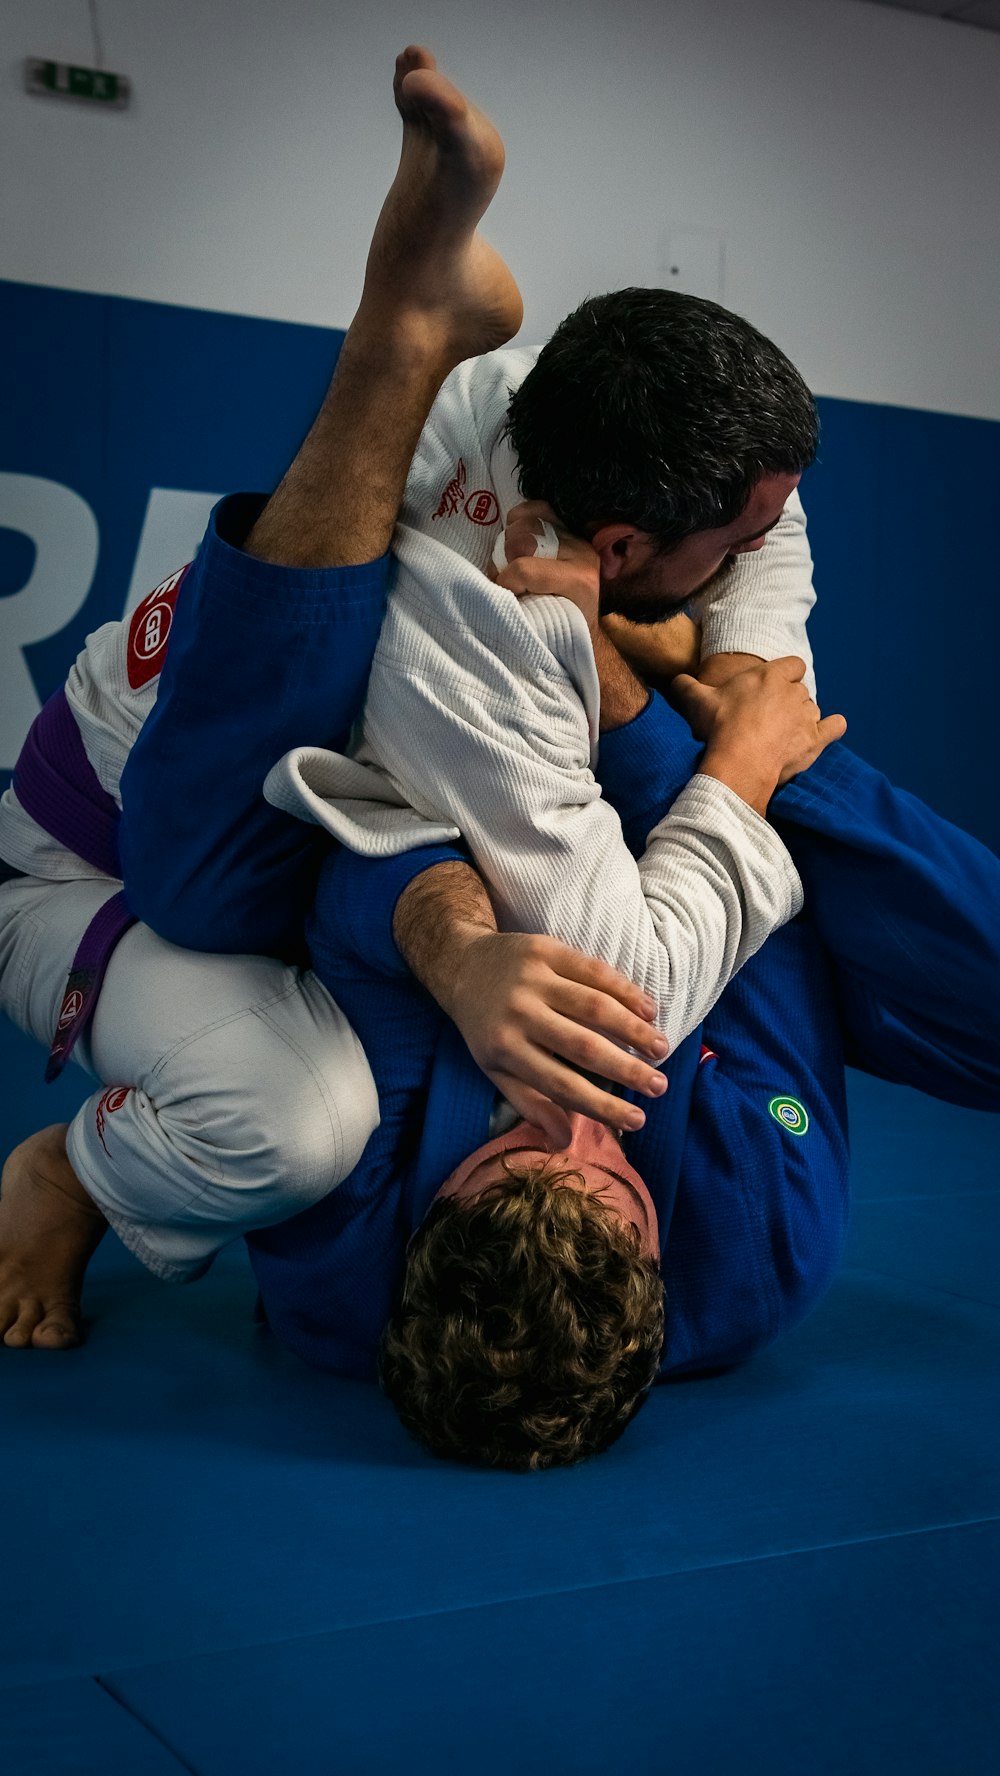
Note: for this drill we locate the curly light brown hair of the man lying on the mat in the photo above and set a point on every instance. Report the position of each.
(530, 1326)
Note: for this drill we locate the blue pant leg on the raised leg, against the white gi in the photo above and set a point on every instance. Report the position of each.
(262, 660)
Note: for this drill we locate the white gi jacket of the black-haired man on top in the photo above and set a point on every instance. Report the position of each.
(482, 720)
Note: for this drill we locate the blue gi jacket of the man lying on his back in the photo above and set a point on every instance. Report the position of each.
(752, 1216)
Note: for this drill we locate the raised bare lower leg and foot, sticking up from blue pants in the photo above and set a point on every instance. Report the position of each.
(434, 294)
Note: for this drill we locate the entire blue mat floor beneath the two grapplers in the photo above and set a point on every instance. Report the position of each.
(809, 1544)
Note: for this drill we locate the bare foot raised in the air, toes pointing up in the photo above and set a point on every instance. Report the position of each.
(427, 269)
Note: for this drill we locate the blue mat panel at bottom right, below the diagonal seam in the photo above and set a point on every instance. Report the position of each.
(775, 1665)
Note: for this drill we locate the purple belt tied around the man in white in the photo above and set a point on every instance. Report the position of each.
(56, 784)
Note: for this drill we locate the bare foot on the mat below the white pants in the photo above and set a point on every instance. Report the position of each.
(49, 1233)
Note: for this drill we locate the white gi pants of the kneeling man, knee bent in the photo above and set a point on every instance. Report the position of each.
(234, 1091)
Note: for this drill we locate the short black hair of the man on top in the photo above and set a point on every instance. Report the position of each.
(658, 409)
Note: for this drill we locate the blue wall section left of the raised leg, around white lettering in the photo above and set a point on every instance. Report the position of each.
(115, 397)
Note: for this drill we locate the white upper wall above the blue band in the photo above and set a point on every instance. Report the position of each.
(848, 155)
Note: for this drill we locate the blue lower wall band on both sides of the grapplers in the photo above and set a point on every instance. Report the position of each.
(116, 397)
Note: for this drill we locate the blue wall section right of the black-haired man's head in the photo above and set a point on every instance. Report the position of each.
(907, 633)
